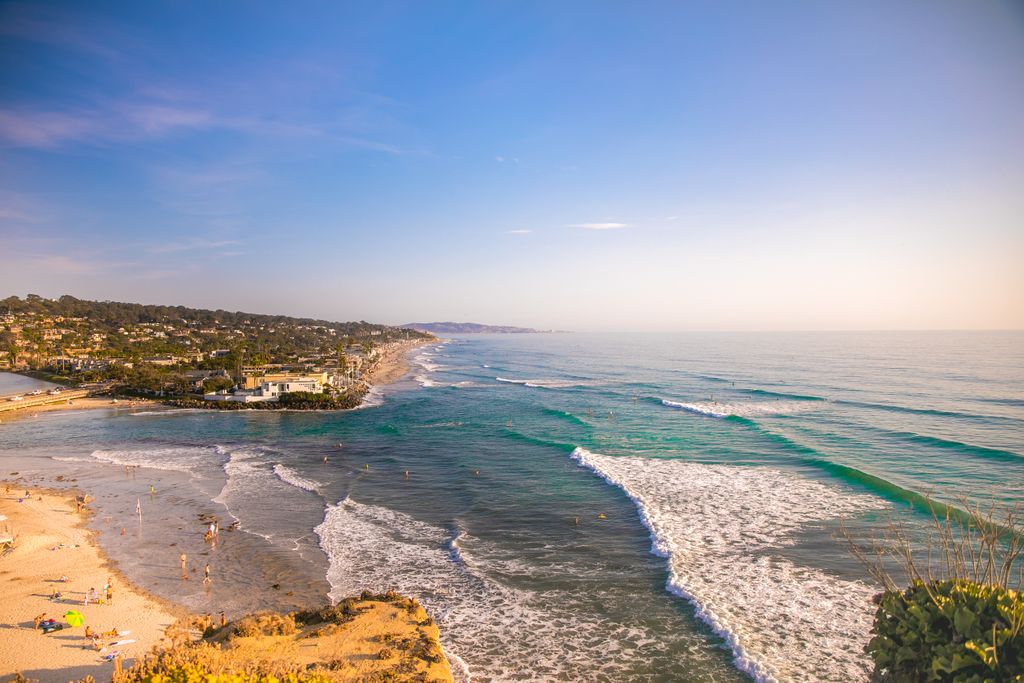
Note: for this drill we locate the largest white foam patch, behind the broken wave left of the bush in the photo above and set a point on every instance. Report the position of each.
(718, 527)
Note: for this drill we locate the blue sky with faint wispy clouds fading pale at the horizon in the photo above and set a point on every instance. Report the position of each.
(579, 165)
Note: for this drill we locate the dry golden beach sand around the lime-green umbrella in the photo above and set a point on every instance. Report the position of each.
(53, 542)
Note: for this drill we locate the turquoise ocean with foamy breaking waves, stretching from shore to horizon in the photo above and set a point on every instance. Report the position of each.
(721, 464)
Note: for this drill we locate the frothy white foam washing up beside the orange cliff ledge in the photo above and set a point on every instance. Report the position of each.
(489, 628)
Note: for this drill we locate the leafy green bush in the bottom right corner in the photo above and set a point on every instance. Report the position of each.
(956, 631)
